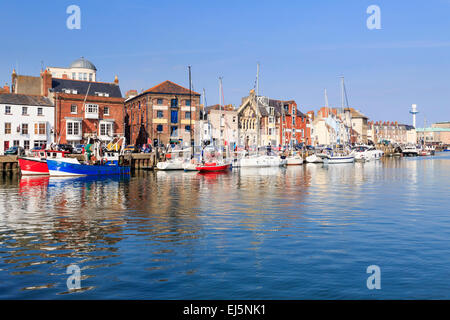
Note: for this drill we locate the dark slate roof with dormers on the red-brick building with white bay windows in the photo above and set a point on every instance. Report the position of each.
(82, 87)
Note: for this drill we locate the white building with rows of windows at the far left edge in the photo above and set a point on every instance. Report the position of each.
(26, 121)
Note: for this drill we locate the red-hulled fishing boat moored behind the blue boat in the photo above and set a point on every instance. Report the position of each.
(37, 164)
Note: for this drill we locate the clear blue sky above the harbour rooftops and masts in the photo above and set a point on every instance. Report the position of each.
(302, 47)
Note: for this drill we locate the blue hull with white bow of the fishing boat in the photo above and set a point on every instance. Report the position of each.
(72, 167)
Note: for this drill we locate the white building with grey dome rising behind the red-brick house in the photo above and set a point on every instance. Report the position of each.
(80, 69)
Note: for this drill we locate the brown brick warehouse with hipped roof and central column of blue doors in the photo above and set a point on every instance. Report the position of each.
(167, 113)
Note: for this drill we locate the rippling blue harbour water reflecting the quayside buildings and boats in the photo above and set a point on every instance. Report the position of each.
(304, 232)
